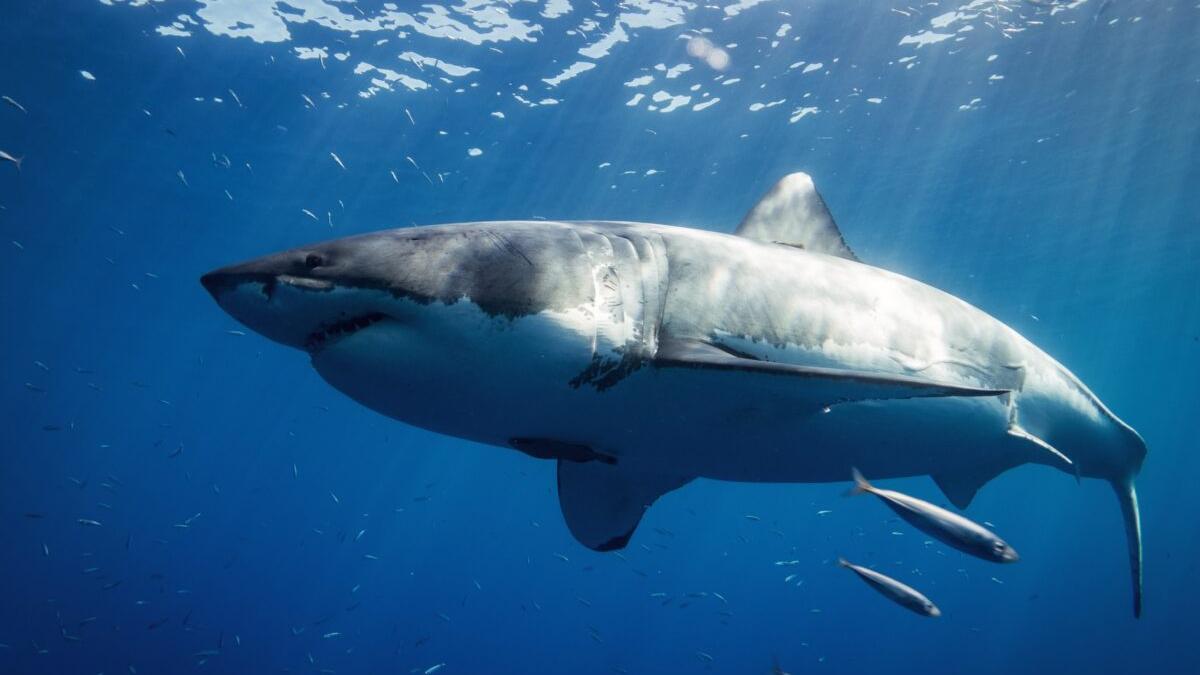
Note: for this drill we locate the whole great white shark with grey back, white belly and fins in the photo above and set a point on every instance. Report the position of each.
(640, 357)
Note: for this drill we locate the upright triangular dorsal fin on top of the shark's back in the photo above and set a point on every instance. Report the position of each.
(793, 213)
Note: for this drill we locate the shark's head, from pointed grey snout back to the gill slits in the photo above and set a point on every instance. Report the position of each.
(415, 324)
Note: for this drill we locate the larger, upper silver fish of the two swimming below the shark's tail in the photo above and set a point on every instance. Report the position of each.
(950, 528)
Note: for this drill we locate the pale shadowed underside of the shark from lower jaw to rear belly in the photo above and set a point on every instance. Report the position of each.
(491, 381)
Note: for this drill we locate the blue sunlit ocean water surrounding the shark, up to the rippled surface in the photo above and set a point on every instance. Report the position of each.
(1036, 159)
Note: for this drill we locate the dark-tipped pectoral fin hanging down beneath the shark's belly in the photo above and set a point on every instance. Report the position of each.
(603, 504)
